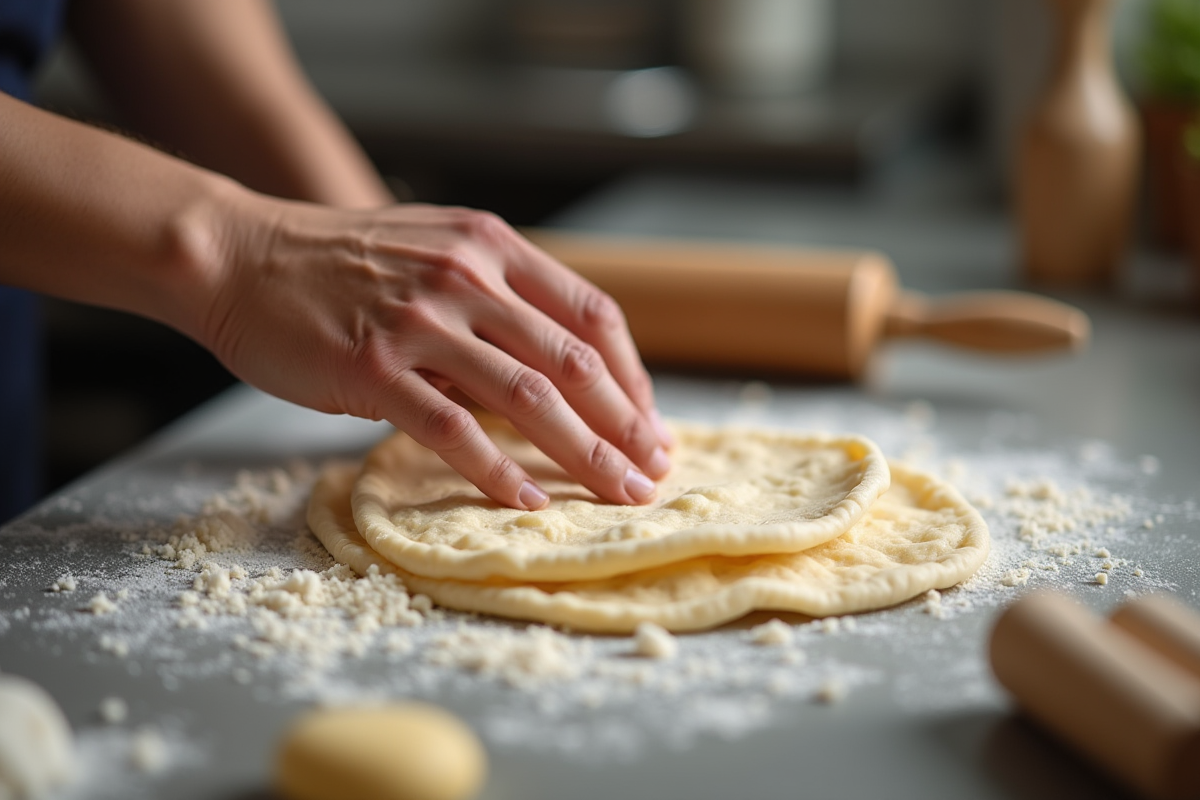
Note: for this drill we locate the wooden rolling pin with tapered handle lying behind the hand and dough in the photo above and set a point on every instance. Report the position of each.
(793, 310)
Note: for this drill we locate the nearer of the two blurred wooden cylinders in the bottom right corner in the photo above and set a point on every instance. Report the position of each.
(1118, 702)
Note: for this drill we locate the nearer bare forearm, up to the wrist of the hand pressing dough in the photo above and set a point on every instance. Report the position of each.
(91, 216)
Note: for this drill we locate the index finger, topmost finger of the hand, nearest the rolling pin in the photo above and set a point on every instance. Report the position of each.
(593, 317)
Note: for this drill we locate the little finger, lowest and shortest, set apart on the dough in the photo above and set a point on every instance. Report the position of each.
(453, 434)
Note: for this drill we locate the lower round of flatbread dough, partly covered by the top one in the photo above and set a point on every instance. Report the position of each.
(920, 536)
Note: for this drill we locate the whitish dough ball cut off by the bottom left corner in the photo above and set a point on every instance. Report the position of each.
(37, 749)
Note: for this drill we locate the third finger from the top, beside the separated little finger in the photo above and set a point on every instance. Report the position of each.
(536, 407)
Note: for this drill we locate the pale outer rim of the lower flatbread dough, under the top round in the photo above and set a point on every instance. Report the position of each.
(331, 519)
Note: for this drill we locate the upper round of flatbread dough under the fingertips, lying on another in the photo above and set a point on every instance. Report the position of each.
(730, 492)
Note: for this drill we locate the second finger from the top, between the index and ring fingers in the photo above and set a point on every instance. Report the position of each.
(579, 372)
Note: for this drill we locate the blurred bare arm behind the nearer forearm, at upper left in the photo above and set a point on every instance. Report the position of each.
(218, 82)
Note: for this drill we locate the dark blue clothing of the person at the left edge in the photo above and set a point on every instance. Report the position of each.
(28, 31)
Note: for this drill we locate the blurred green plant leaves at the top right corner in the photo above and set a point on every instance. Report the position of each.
(1171, 56)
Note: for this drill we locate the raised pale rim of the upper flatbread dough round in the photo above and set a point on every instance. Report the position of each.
(610, 560)
